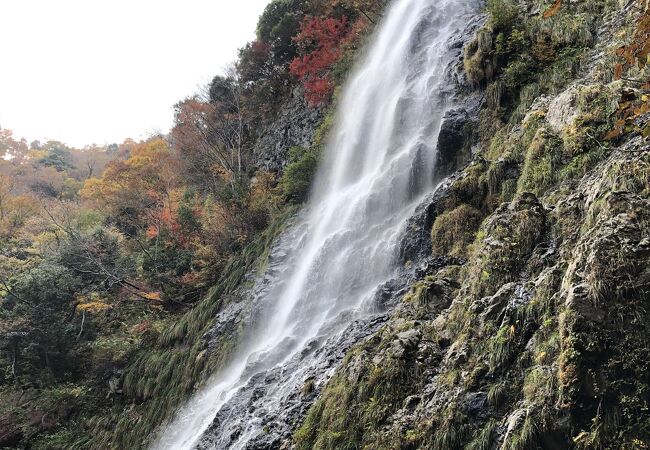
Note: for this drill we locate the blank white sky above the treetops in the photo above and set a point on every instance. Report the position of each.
(98, 71)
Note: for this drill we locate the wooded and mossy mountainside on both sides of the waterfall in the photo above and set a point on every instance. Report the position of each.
(527, 327)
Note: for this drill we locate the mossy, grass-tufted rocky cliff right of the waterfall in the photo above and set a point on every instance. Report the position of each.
(531, 331)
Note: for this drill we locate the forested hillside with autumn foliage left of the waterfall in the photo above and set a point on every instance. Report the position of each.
(113, 260)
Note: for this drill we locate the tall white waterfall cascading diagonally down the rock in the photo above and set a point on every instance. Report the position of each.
(328, 267)
